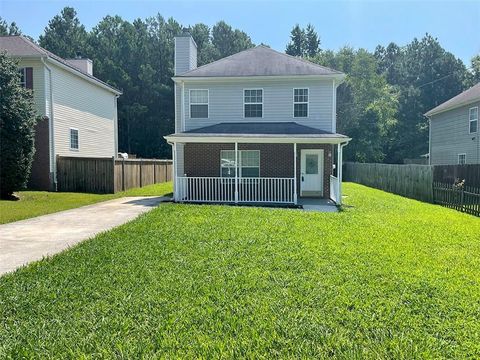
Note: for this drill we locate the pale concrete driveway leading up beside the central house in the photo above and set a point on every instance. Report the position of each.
(29, 240)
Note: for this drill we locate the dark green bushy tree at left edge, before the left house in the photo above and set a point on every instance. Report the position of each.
(17, 130)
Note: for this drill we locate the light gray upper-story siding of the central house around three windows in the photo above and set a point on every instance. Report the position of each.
(226, 102)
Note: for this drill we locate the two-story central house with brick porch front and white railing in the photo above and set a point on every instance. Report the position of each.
(255, 127)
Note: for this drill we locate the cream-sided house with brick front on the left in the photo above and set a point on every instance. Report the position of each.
(83, 119)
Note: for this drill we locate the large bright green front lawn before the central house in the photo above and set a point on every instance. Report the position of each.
(388, 277)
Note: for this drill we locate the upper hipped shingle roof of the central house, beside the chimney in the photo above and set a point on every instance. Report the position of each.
(259, 61)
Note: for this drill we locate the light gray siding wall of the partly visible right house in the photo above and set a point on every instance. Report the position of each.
(450, 136)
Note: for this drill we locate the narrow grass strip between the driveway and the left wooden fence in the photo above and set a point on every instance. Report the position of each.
(35, 203)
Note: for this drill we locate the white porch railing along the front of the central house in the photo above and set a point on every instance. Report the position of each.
(221, 189)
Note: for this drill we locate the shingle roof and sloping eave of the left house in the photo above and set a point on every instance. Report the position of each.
(22, 47)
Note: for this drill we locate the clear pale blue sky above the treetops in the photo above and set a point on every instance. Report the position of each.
(364, 24)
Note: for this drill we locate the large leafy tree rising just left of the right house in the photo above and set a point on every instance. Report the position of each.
(425, 75)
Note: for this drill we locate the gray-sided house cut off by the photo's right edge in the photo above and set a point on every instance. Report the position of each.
(454, 130)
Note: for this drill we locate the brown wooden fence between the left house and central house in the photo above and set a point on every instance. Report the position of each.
(109, 175)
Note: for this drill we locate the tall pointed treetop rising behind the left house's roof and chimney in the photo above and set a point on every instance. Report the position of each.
(65, 36)
